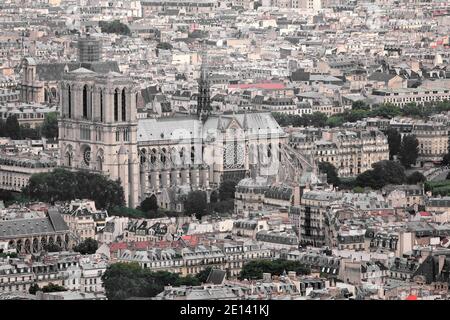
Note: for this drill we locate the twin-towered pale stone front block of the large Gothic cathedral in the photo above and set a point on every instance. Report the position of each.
(98, 127)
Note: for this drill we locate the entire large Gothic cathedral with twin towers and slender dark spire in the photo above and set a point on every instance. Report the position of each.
(99, 131)
